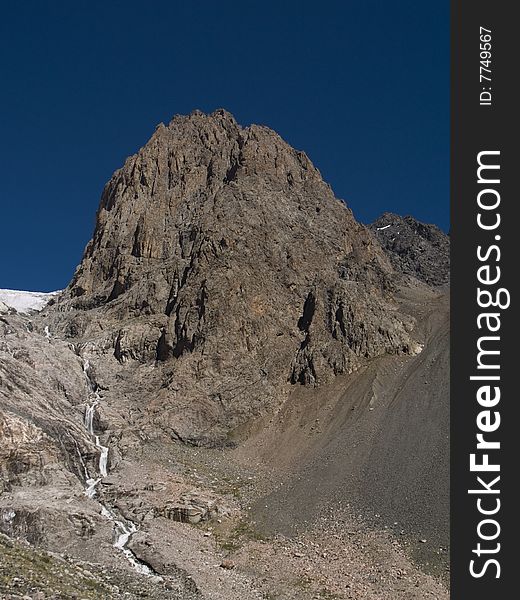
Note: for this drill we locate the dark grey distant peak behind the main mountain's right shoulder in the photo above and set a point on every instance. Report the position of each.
(415, 248)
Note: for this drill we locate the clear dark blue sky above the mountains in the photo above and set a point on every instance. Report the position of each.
(362, 87)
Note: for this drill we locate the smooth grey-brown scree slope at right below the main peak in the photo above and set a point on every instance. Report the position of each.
(377, 445)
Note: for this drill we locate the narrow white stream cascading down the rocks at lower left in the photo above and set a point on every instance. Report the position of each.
(123, 529)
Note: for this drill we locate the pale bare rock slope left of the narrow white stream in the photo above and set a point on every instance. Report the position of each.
(42, 389)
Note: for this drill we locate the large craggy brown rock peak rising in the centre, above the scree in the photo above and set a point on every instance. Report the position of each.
(222, 258)
